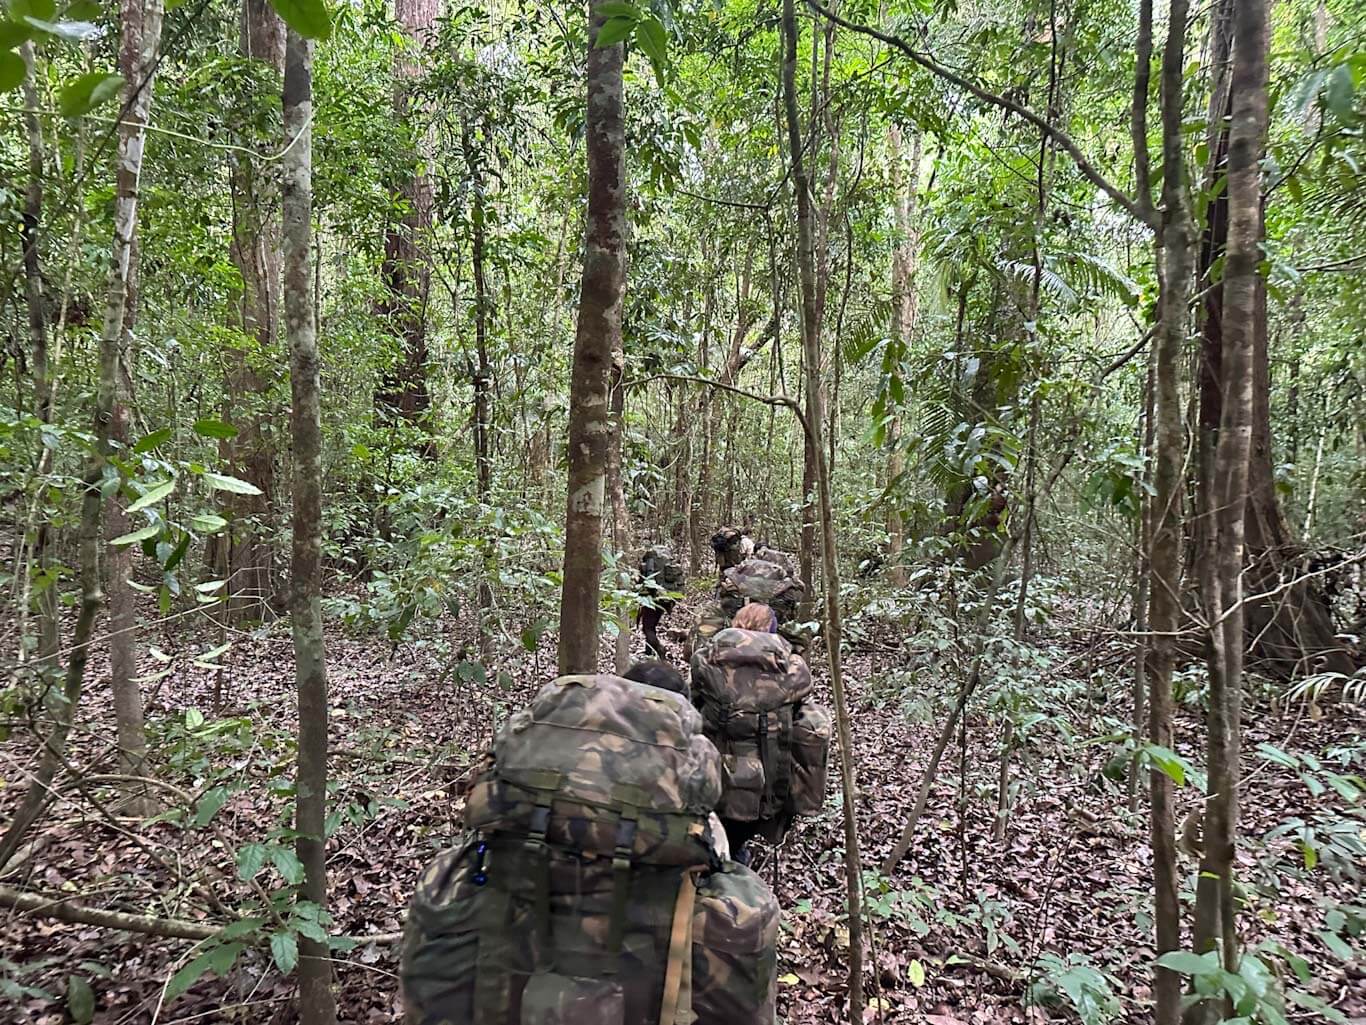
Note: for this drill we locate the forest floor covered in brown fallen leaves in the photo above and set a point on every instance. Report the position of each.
(968, 930)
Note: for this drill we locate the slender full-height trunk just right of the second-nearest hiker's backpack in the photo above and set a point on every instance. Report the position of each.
(831, 579)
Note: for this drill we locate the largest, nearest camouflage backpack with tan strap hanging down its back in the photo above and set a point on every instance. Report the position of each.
(587, 890)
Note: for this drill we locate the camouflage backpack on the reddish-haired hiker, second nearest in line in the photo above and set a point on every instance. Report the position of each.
(775, 744)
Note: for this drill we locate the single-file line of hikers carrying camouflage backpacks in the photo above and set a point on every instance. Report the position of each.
(603, 877)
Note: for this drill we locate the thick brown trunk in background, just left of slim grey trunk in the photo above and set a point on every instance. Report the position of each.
(256, 254)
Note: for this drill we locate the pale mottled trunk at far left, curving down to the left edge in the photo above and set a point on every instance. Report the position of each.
(143, 31)
